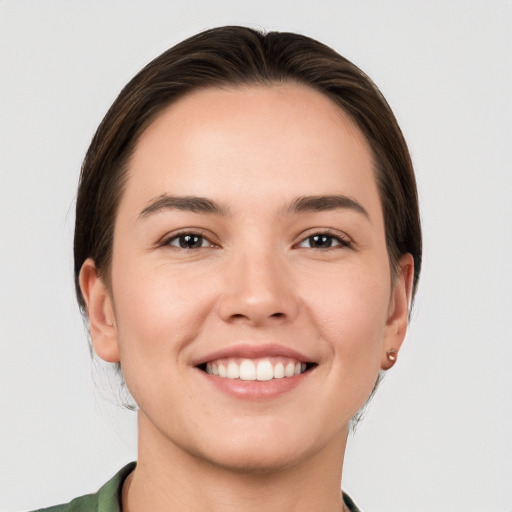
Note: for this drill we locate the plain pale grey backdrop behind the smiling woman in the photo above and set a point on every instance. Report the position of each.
(438, 436)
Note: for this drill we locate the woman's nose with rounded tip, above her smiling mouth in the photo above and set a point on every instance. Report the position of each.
(258, 290)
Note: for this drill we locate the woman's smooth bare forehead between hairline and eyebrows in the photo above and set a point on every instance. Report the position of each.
(233, 143)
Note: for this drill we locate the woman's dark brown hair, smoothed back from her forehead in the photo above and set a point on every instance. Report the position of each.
(232, 56)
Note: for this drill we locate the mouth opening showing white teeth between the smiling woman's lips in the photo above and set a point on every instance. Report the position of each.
(261, 369)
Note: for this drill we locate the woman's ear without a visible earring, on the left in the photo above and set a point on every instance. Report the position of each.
(100, 310)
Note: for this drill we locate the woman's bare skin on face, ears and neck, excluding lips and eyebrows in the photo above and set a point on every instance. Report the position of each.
(256, 279)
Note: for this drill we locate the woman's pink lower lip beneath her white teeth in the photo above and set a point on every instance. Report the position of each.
(256, 389)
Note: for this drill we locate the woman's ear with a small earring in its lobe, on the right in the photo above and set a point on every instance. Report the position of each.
(398, 312)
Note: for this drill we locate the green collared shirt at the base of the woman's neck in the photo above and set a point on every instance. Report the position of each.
(108, 498)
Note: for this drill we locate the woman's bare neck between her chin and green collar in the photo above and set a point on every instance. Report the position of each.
(169, 478)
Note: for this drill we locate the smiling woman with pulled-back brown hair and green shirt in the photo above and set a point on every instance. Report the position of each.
(247, 247)
